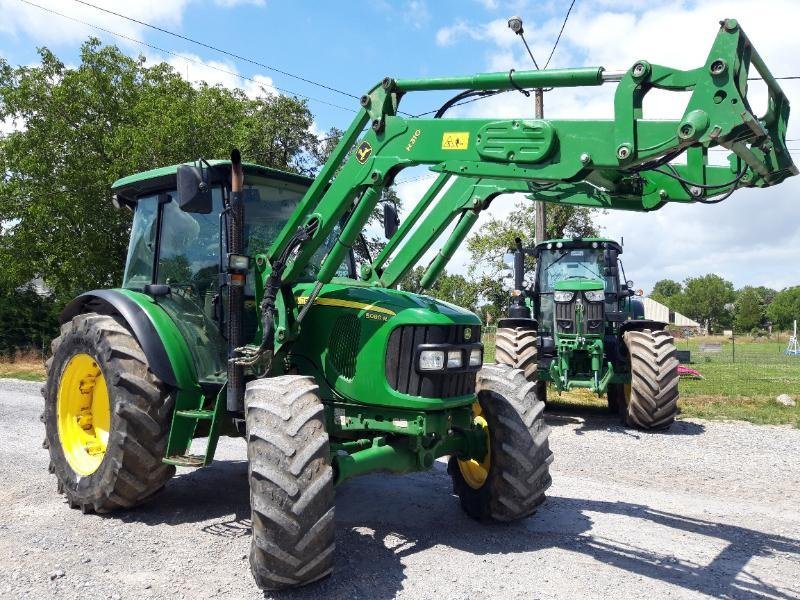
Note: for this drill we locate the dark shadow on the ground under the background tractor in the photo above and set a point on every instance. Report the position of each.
(591, 418)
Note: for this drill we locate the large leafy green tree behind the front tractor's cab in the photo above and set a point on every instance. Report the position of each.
(111, 116)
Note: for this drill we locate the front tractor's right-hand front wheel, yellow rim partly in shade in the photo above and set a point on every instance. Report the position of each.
(510, 483)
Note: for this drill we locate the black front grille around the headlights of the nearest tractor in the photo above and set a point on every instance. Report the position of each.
(401, 353)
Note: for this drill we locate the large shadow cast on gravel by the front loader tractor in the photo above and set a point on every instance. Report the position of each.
(384, 520)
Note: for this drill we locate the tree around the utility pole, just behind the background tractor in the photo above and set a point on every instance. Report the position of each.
(495, 238)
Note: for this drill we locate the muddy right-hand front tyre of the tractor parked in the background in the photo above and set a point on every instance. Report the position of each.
(652, 402)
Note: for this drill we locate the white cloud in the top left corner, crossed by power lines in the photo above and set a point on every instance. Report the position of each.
(48, 28)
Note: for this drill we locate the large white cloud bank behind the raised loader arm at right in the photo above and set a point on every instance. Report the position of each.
(753, 237)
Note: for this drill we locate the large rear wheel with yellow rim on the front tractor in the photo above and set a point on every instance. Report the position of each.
(106, 416)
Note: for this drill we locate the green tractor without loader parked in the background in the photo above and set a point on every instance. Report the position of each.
(580, 325)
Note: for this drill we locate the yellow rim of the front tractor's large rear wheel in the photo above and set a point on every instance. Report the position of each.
(83, 414)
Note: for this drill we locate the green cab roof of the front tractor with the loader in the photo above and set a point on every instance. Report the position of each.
(139, 184)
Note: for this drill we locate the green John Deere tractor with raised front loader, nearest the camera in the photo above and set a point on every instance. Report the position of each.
(243, 310)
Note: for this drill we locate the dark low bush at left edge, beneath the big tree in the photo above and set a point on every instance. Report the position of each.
(27, 320)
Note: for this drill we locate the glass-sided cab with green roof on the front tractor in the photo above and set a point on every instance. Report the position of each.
(178, 249)
